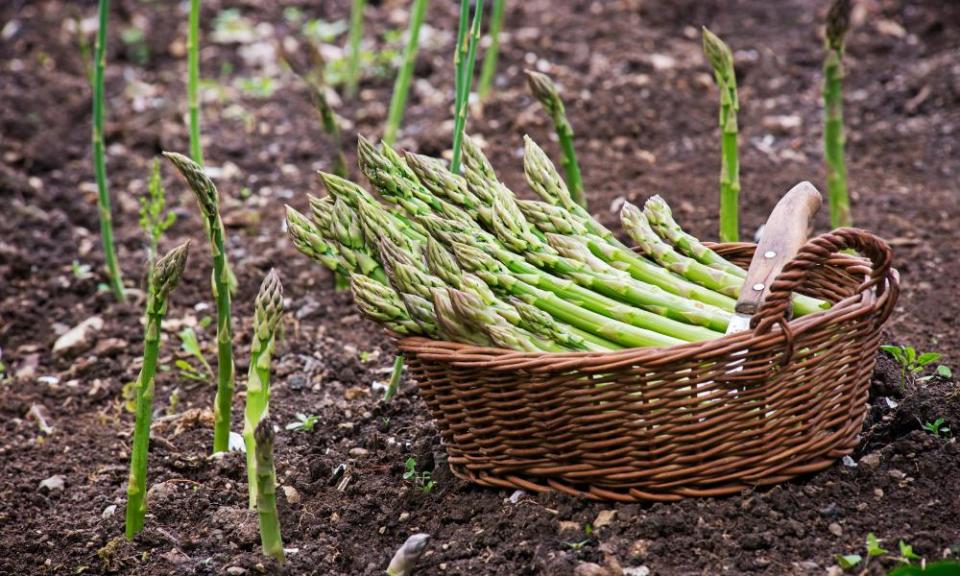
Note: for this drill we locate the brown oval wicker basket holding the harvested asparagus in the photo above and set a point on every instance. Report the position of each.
(700, 419)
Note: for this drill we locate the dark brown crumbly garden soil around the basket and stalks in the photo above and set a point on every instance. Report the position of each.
(639, 95)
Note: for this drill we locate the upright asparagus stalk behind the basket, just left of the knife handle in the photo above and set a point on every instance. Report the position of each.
(721, 60)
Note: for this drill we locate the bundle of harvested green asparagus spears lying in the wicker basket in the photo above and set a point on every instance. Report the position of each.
(461, 258)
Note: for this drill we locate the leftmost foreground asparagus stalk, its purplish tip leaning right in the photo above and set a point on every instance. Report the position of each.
(164, 277)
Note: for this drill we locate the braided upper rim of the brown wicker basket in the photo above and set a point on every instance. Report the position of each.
(861, 303)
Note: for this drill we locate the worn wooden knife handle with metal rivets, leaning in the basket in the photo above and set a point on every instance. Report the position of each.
(784, 234)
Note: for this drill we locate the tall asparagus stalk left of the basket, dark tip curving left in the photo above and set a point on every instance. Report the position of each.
(209, 201)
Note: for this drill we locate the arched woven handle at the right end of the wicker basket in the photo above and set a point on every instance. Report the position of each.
(814, 254)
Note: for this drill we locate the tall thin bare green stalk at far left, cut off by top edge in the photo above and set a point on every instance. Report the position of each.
(100, 157)
